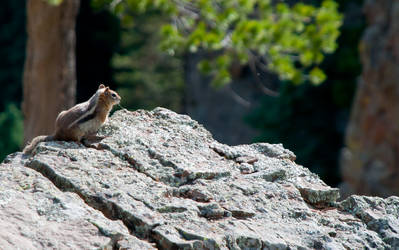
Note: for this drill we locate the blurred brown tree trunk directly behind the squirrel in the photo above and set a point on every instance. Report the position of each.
(50, 72)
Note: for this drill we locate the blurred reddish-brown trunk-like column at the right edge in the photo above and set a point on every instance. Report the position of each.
(370, 163)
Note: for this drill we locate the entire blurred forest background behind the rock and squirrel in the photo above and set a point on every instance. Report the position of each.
(256, 87)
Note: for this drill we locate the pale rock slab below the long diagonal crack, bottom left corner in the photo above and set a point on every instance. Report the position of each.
(35, 214)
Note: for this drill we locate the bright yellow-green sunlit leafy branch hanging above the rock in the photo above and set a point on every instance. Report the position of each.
(292, 40)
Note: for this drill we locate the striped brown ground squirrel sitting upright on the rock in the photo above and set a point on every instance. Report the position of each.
(82, 121)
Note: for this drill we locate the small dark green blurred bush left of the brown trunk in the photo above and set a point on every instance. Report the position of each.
(11, 130)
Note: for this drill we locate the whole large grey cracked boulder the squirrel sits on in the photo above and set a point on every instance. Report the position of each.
(160, 178)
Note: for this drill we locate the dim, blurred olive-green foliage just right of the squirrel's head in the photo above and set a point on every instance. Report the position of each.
(147, 77)
